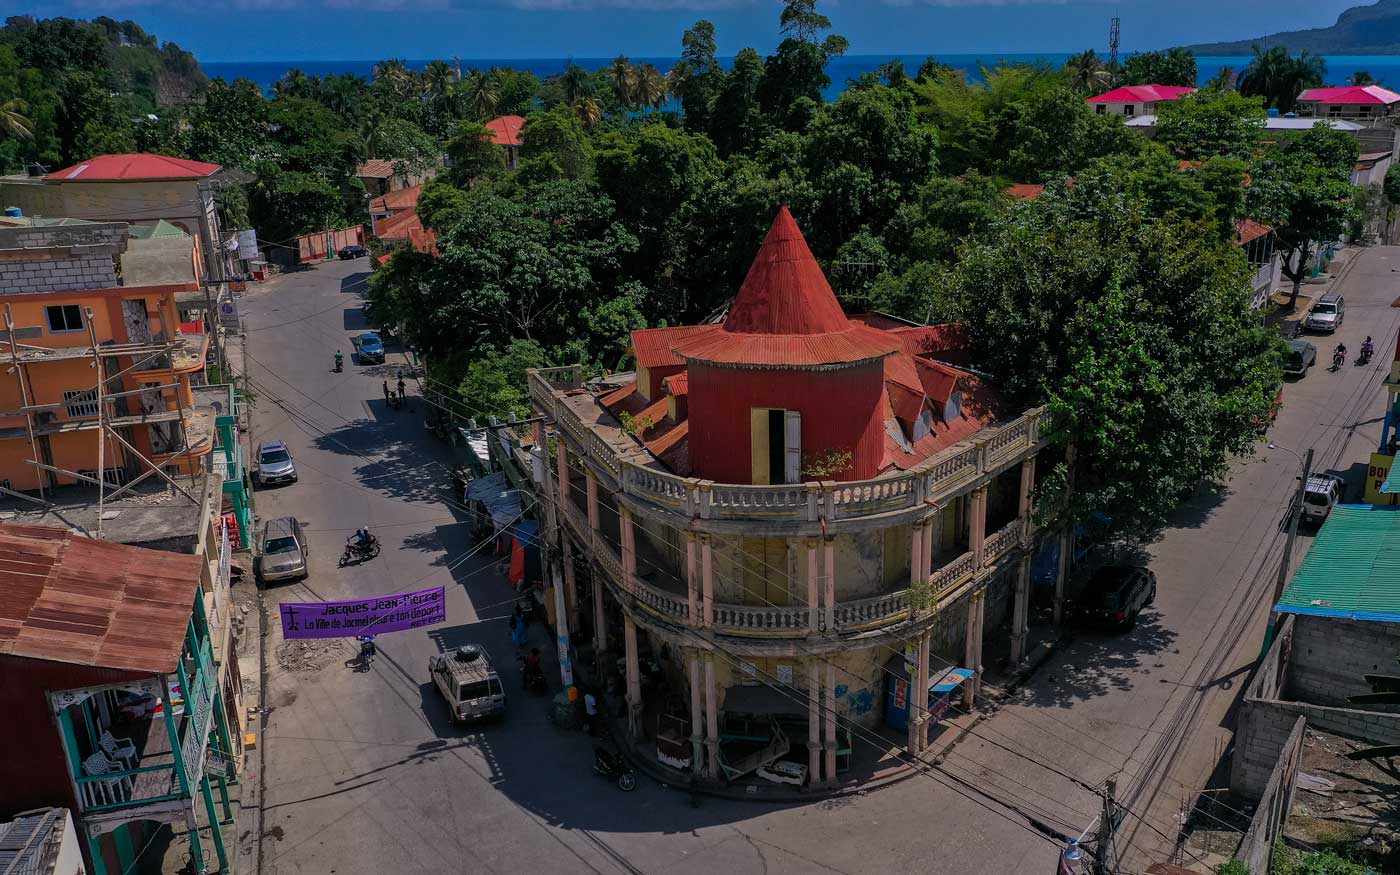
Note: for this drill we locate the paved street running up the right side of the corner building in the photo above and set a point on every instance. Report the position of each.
(1154, 708)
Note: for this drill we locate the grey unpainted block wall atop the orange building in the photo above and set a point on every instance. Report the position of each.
(61, 258)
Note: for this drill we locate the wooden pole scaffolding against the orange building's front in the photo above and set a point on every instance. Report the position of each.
(108, 422)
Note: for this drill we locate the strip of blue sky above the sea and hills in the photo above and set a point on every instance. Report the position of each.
(339, 30)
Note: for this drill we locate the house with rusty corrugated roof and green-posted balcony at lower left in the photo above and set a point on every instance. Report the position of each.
(108, 687)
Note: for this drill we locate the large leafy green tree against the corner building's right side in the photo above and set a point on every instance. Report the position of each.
(1136, 332)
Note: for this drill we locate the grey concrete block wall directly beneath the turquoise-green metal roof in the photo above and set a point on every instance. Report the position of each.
(1331, 659)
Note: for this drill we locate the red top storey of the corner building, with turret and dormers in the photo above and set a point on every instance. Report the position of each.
(790, 381)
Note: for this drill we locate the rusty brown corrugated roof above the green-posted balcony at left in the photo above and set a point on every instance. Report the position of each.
(75, 600)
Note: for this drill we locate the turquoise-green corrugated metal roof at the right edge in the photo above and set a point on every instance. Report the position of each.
(1353, 569)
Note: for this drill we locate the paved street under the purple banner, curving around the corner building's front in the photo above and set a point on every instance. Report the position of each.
(365, 773)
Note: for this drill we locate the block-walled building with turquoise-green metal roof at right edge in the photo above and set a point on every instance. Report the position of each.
(1342, 622)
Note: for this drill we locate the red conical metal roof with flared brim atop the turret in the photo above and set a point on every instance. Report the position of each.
(786, 314)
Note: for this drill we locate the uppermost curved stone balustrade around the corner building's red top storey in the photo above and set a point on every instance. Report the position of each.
(936, 479)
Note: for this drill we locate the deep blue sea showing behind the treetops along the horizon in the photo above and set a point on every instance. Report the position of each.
(1384, 68)
